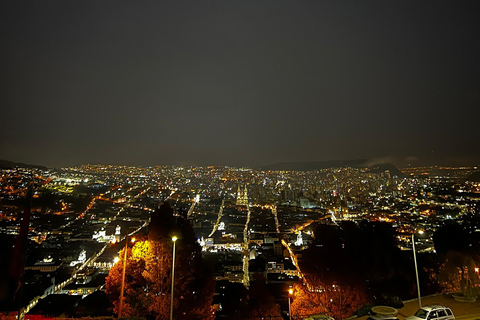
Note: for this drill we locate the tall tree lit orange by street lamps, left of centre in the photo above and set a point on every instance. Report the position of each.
(149, 272)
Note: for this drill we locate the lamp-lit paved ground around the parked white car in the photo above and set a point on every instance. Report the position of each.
(461, 310)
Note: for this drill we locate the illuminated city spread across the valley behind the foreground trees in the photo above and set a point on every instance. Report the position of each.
(248, 222)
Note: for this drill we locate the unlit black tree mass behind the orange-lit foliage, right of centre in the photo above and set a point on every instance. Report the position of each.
(362, 256)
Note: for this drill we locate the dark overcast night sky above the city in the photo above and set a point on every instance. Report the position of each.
(236, 82)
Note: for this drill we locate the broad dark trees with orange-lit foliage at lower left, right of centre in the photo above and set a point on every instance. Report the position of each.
(348, 265)
